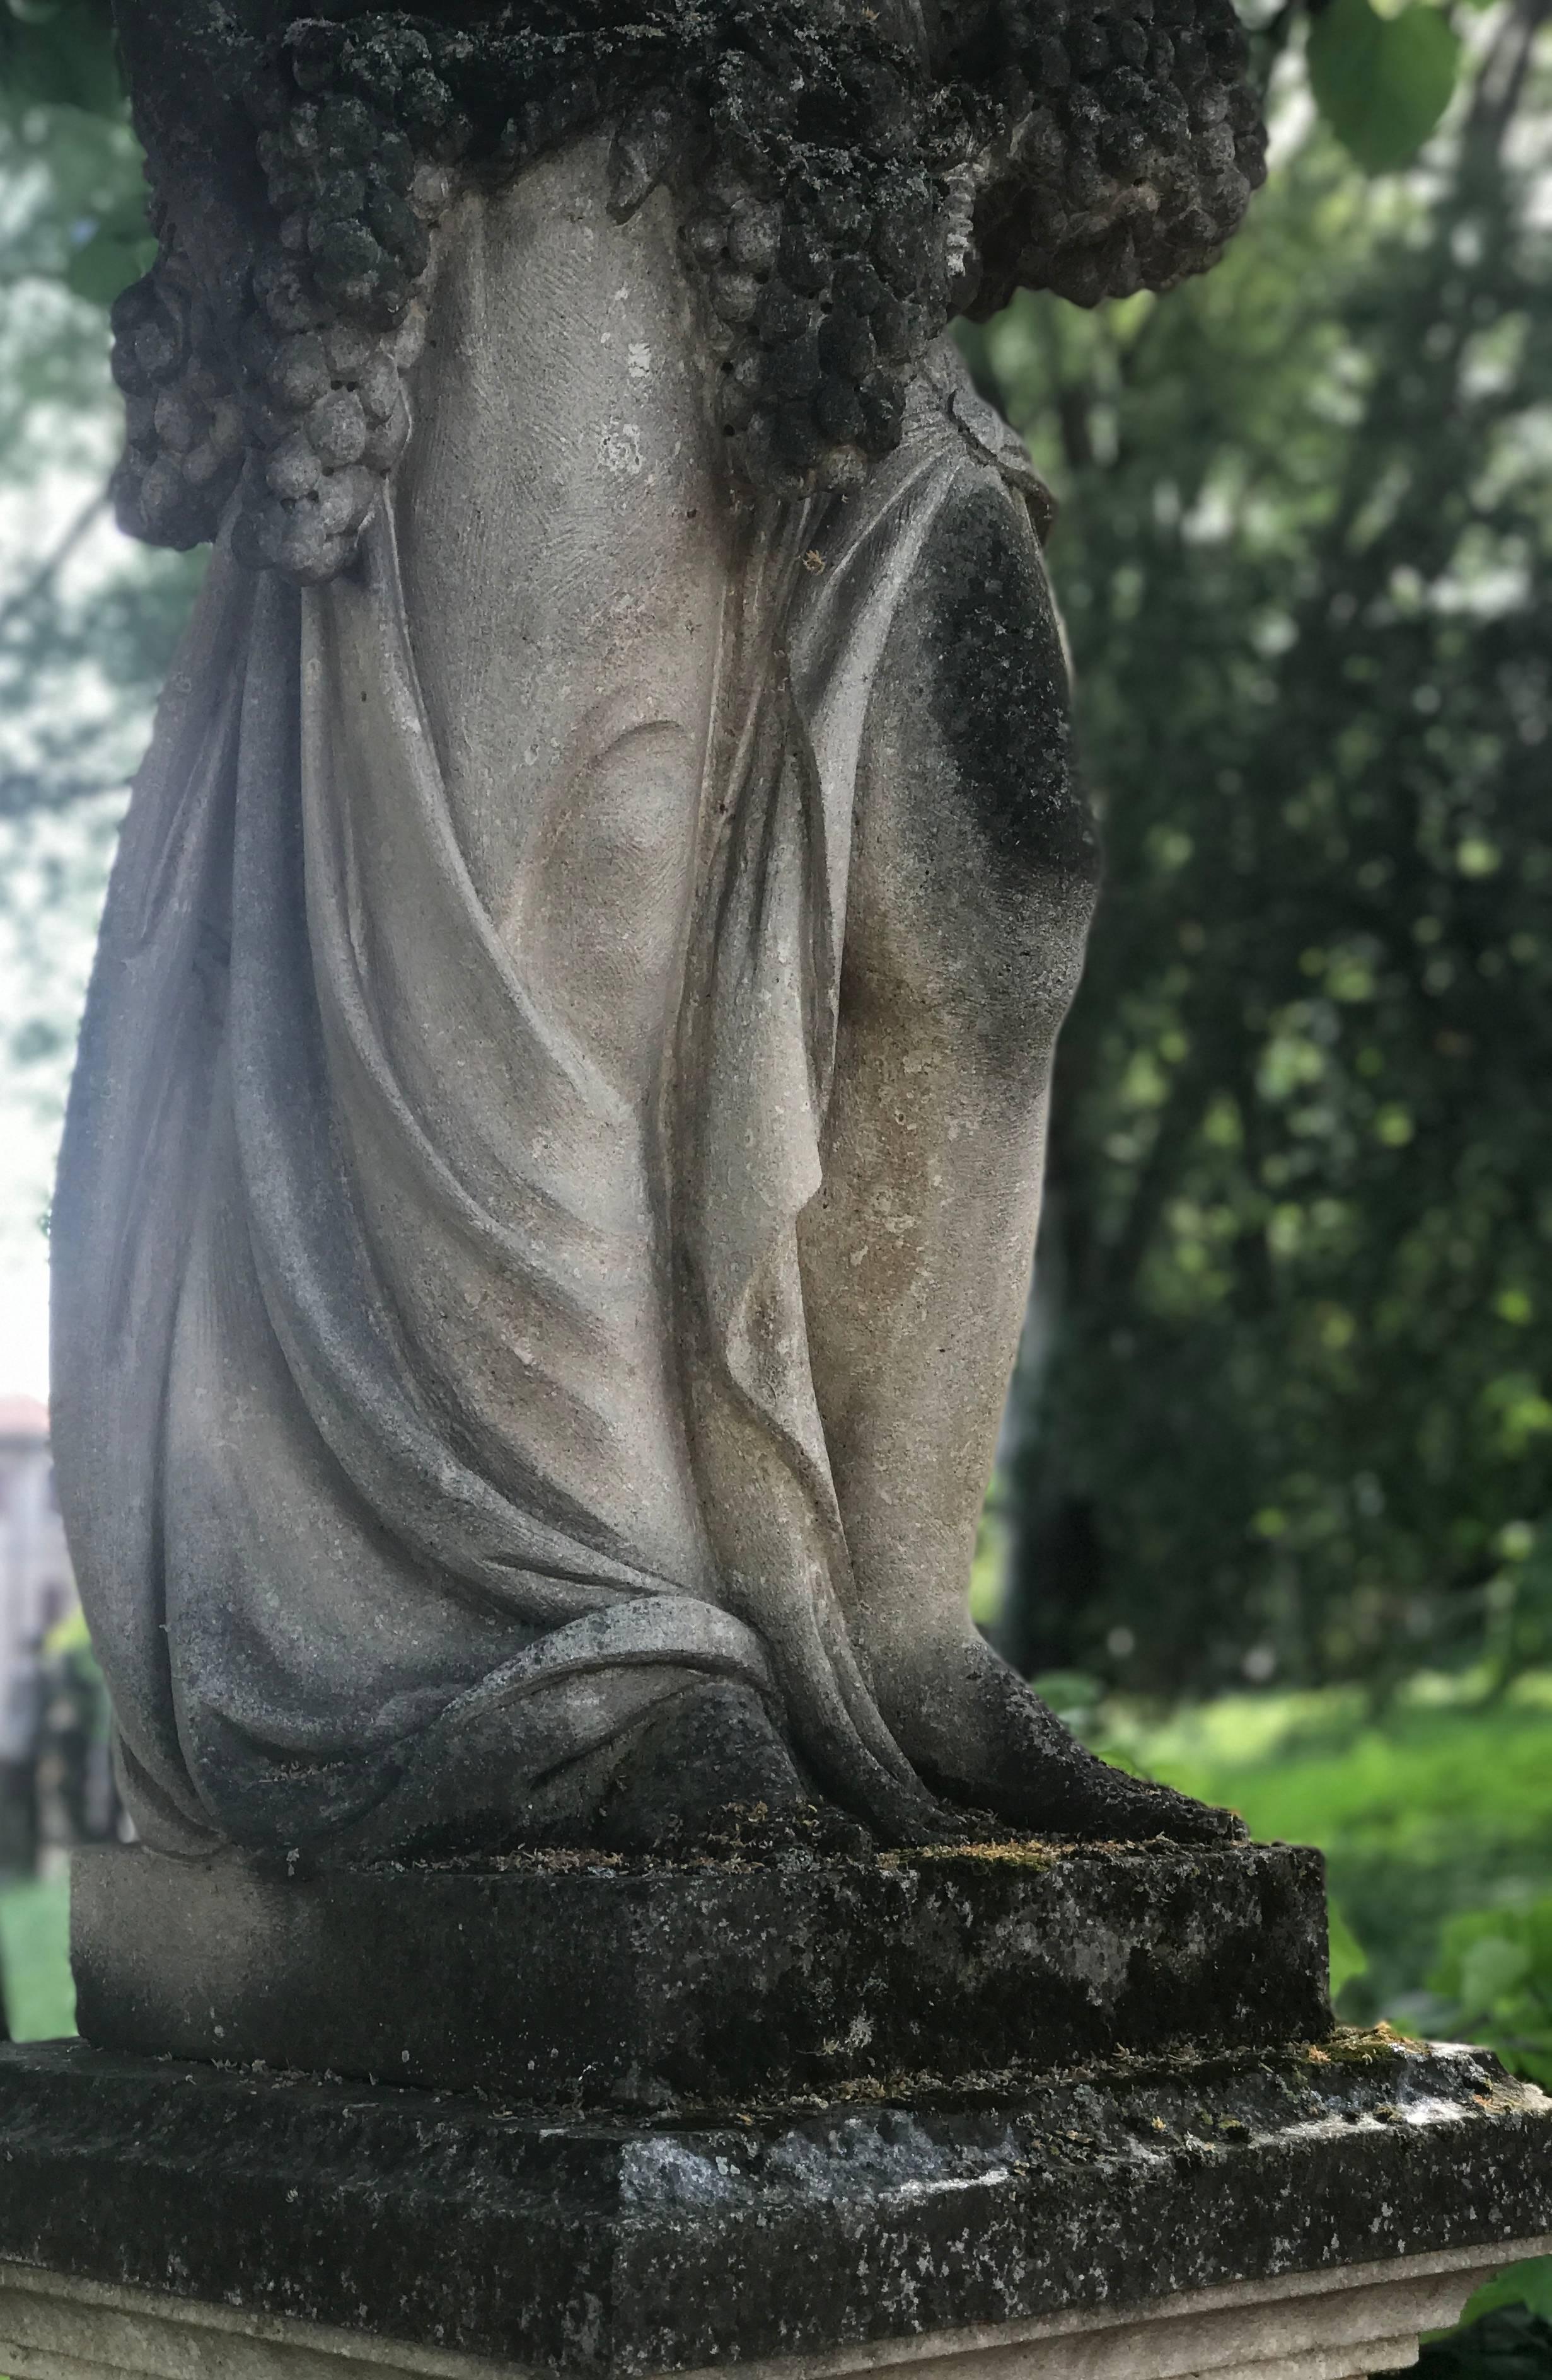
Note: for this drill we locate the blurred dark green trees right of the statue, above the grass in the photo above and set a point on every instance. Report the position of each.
(1284, 1405)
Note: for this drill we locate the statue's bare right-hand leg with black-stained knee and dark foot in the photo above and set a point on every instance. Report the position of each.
(972, 882)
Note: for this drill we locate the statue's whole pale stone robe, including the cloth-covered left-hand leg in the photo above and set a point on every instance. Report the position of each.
(434, 1382)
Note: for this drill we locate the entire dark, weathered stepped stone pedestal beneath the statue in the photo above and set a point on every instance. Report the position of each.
(1072, 2112)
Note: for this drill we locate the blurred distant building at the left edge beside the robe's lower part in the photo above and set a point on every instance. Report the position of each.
(37, 1582)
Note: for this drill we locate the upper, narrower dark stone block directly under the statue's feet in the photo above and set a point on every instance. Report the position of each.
(642, 1984)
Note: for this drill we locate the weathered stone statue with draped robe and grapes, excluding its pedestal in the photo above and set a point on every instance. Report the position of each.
(556, 1151)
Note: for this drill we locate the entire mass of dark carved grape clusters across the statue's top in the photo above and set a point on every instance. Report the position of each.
(837, 196)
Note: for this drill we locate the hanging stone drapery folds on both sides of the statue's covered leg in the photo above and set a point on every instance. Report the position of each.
(337, 1353)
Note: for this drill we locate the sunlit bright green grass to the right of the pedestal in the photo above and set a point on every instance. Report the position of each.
(1437, 1829)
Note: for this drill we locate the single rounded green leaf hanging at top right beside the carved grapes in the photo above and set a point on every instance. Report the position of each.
(1384, 82)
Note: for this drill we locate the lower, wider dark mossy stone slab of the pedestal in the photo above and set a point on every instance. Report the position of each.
(618, 2246)
